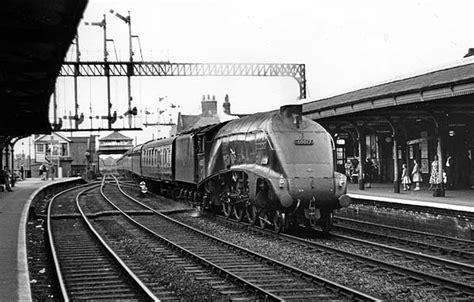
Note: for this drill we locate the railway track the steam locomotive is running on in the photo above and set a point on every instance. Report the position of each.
(453, 280)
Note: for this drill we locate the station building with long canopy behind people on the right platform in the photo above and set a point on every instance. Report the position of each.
(412, 118)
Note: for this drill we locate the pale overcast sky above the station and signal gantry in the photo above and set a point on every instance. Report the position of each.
(345, 45)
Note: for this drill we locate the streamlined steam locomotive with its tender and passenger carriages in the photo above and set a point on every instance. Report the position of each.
(273, 169)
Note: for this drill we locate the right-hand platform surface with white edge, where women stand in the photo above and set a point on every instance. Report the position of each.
(461, 199)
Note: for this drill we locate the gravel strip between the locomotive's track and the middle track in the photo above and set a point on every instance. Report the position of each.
(380, 285)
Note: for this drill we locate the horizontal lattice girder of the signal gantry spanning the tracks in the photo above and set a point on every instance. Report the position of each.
(117, 69)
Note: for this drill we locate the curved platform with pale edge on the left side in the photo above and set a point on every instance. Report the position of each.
(14, 279)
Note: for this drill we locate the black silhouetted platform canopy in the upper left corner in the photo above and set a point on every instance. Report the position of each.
(36, 35)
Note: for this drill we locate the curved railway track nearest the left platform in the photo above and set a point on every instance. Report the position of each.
(86, 267)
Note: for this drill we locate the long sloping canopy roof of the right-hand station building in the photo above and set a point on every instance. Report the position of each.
(442, 83)
